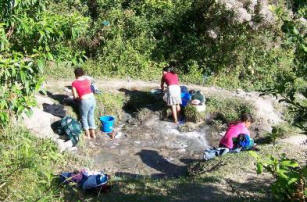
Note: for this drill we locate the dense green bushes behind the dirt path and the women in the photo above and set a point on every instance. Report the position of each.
(211, 43)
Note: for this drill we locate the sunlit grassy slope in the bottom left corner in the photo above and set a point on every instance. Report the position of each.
(27, 167)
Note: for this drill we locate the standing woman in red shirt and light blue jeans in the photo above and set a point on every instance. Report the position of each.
(81, 90)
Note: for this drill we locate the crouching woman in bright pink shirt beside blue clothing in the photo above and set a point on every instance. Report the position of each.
(235, 129)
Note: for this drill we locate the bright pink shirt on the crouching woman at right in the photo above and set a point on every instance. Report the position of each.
(233, 131)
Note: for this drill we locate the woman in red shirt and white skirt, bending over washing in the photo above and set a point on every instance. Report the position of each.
(170, 78)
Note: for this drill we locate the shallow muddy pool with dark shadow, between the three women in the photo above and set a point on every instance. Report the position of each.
(152, 148)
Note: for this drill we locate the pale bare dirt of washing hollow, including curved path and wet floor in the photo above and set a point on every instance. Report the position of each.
(152, 147)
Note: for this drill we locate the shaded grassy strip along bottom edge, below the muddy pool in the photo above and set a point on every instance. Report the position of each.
(184, 189)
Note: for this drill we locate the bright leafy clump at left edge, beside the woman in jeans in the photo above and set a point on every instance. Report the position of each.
(19, 78)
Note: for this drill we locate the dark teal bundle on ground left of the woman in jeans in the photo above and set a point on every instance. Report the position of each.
(71, 128)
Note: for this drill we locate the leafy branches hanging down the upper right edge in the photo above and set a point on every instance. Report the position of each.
(292, 85)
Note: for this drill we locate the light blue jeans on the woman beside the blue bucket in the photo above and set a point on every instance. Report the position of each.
(87, 112)
